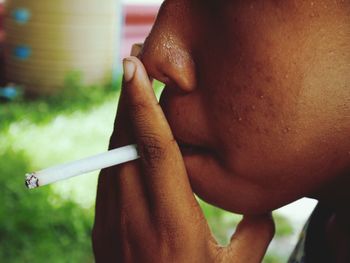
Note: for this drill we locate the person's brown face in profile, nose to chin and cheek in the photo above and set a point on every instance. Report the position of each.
(260, 90)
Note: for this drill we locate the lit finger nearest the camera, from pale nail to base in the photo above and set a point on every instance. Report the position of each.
(162, 162)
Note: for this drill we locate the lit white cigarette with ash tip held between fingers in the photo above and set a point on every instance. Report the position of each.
(75, 168)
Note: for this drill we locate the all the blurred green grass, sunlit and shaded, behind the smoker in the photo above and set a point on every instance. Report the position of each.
(53, 223)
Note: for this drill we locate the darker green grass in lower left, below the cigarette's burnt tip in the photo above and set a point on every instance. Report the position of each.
(38, 226)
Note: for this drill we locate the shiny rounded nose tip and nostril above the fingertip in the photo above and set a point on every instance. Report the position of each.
(169, 61)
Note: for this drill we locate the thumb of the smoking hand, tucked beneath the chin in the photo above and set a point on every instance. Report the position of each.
(251, 239)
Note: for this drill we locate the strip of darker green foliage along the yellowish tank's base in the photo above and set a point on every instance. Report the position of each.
(41, 109)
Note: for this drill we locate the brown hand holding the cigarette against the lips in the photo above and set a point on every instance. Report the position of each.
(145, 209)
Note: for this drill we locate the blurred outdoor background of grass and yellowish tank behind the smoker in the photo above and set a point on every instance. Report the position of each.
(59, 88)
